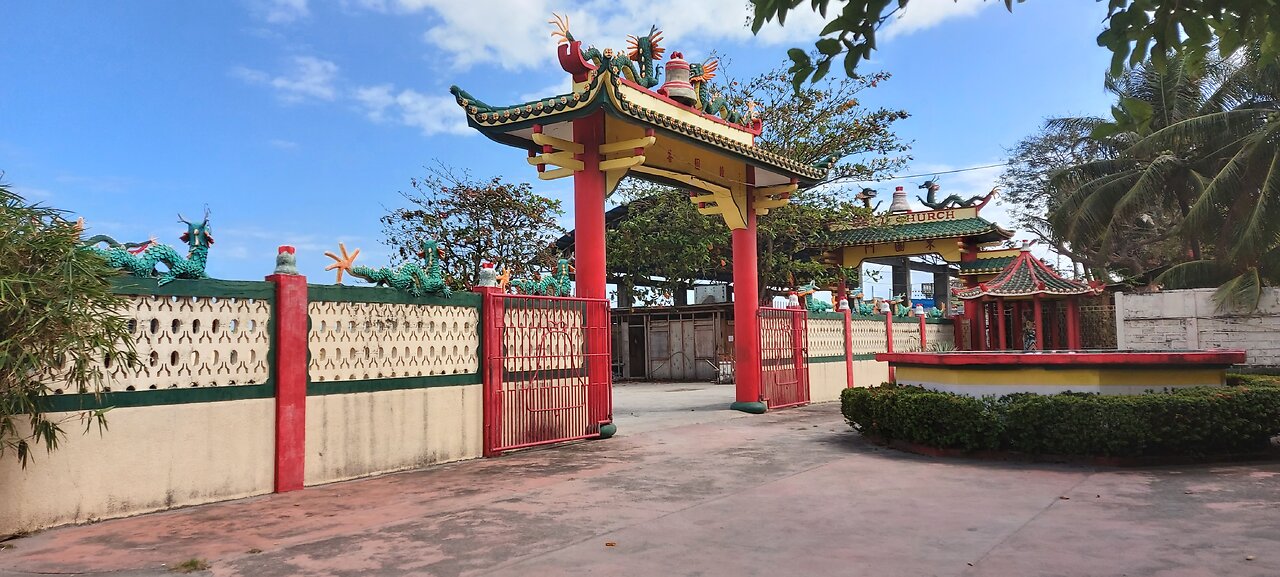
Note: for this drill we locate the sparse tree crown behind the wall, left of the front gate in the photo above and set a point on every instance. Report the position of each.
(476, 221)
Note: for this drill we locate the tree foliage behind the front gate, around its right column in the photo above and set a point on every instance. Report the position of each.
(664, 241)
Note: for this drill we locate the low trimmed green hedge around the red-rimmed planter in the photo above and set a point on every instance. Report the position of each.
(1195, 422)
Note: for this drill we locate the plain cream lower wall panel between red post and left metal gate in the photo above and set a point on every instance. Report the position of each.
(362, 434)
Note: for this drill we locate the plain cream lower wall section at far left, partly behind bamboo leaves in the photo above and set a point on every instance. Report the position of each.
(152, 459)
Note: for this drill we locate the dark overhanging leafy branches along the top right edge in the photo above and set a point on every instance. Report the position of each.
(1136, 30)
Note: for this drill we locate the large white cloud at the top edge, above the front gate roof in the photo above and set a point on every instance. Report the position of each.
(515, 34)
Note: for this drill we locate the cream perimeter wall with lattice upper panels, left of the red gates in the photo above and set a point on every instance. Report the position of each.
(392, 383)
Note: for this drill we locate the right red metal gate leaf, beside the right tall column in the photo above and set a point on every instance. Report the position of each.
(784, 347)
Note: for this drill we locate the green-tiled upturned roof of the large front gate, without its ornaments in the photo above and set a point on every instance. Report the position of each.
(627, 100)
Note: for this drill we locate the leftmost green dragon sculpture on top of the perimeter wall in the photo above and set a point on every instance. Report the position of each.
(141, 259)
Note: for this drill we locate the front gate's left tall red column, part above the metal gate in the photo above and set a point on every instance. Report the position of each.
(589, 208)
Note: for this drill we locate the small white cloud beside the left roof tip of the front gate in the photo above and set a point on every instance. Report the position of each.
(431, 115)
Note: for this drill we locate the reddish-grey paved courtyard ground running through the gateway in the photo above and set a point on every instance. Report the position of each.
(691, 489)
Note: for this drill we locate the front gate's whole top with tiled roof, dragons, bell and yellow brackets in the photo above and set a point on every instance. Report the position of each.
(683, 134)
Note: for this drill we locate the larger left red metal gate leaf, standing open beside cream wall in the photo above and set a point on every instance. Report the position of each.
(547, 375)
